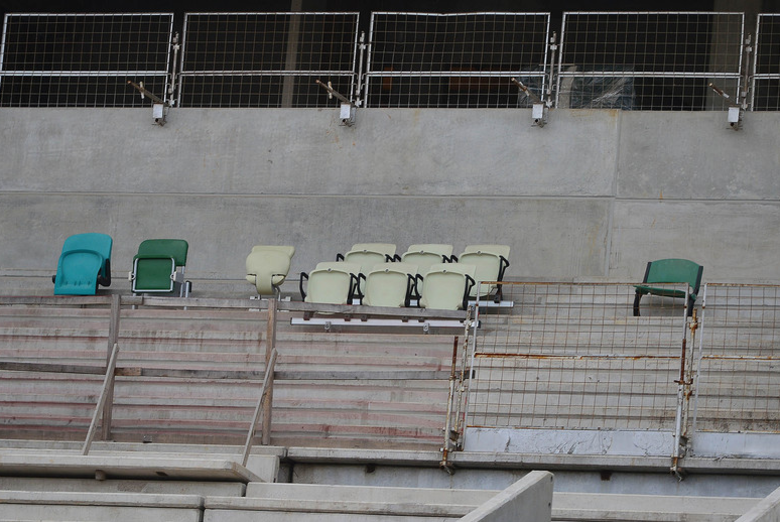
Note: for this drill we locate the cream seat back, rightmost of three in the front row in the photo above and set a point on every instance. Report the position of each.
(446, 286)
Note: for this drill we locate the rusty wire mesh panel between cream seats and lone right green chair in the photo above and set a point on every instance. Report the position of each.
(573, 356)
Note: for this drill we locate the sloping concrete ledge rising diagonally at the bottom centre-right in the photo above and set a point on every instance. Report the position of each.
(527, 500)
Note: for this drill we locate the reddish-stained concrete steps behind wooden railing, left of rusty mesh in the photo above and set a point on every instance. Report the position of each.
(331, 389)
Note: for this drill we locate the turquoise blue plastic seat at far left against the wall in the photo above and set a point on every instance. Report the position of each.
(84, 258)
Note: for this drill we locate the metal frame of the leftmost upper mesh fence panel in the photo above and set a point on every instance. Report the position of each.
(164, 73)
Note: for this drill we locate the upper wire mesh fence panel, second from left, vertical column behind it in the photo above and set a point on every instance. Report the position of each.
(266, 59)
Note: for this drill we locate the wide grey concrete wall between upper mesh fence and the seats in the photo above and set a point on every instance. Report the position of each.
(593, 194)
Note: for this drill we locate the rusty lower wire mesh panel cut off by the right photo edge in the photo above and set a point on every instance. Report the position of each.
(738, 386)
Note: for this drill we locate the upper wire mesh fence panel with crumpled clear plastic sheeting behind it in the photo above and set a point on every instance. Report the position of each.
(649, 61)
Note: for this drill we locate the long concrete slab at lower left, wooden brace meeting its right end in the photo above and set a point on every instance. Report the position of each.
(113, 466)
